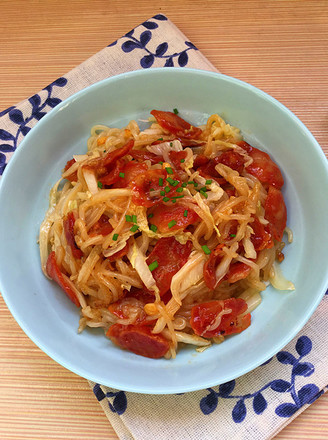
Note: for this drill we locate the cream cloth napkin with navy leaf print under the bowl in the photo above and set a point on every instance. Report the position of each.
(255, 406)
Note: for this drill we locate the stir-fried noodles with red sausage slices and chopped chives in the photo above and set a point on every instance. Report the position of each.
(166, 236)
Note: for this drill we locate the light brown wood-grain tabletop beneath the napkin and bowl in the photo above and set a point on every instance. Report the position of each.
(278, 46)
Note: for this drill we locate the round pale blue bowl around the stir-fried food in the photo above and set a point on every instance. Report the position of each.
(51, 320)
